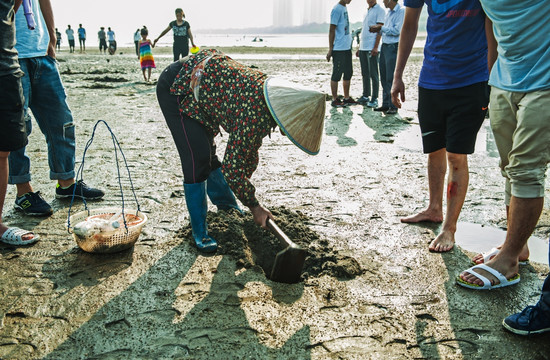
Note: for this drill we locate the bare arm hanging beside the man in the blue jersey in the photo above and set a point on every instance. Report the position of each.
(406, 42)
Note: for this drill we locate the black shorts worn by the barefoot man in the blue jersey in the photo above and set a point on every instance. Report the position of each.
(451, 118)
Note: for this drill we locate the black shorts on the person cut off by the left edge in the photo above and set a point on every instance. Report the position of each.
(13, 135)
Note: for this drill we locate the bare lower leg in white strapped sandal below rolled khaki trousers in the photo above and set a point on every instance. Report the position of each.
(523, 217)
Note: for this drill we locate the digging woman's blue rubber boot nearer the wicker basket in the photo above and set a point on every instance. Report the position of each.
(195, 197)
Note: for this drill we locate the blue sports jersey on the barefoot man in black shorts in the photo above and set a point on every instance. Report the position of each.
(455, 54)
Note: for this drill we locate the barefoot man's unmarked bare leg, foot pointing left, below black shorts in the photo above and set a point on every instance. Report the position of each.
(437, 166)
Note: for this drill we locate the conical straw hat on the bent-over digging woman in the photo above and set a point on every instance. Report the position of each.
(298, 111)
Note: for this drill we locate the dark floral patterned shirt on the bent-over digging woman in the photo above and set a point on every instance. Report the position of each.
(229, 95)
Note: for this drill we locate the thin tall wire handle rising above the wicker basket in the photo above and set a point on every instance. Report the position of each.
(80, 171)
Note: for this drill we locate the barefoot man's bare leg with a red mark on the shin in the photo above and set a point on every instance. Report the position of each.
(457, 186)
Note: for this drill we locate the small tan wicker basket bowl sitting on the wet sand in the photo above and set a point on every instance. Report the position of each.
(112, 241)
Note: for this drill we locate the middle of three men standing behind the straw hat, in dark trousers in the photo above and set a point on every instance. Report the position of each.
(368, 54)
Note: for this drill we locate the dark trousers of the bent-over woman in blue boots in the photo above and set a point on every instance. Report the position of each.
(194, 142)
